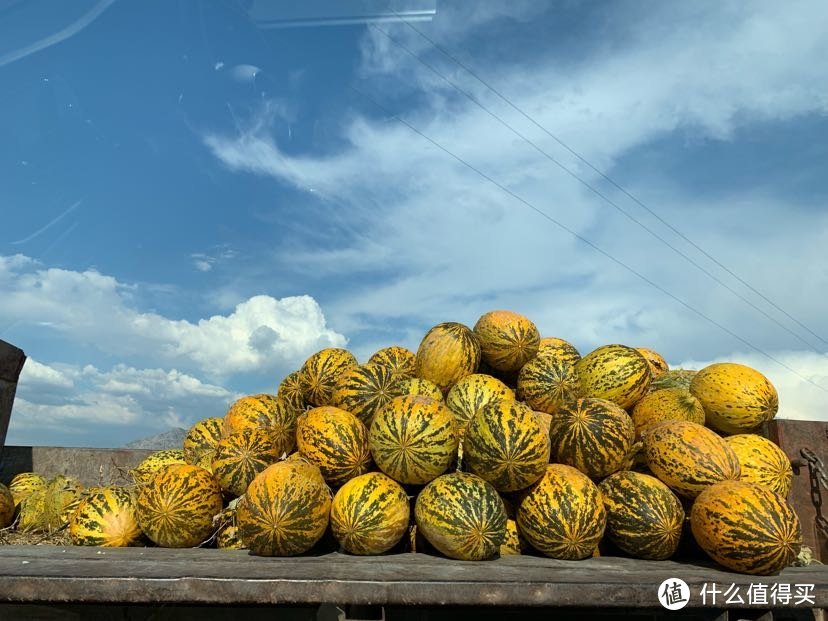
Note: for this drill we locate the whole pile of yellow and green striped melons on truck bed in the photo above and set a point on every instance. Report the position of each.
(487, 441)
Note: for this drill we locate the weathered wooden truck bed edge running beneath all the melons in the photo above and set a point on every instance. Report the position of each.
(206, 576)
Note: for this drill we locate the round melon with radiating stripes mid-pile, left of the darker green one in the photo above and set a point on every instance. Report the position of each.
(413, 439)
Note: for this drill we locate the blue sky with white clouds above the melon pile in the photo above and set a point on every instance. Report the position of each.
(193, 203)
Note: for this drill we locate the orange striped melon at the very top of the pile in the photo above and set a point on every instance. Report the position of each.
(507, 340)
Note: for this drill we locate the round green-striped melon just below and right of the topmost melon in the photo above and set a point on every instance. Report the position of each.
(546, 383)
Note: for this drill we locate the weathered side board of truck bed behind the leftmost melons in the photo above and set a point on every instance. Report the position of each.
(90, 466)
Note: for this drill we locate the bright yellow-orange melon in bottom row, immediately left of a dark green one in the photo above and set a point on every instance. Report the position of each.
(370, 514)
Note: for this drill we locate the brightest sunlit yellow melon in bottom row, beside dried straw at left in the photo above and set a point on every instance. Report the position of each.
(106, 518)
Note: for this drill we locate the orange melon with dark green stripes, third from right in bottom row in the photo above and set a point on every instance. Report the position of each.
(563, 514)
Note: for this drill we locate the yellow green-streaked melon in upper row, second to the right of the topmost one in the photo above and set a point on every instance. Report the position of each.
(614, 372)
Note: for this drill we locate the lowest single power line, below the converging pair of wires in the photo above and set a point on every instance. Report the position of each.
(579, 236)
